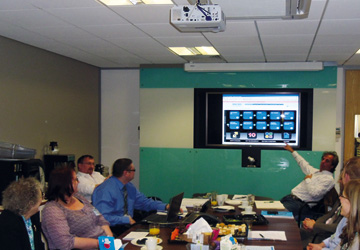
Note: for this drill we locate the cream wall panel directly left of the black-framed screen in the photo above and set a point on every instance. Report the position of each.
(166, 118)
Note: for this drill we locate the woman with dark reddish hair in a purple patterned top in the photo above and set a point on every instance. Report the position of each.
(68, 219)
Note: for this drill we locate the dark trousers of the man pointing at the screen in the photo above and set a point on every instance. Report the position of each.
(293, 204)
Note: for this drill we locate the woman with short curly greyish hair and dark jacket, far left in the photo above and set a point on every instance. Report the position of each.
(19, 225)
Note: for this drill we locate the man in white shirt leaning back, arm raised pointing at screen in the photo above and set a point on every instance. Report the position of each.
(316, 183)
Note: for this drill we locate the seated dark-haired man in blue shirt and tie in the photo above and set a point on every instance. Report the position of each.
(117, 197)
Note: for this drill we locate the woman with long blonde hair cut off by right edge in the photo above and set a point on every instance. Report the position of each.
(350, 208)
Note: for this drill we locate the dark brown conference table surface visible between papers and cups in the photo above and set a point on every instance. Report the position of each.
(289, 225)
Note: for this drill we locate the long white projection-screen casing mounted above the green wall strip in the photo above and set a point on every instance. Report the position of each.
(234, 67)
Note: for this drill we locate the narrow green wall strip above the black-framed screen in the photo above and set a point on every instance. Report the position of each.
(178, 78)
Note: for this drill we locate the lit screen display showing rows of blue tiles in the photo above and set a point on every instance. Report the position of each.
(261, 119)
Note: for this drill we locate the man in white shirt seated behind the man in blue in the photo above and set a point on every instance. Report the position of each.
(88, 178)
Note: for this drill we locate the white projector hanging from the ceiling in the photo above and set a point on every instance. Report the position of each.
(198, 18)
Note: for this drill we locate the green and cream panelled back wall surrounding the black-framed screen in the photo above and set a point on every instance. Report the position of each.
(168, 168)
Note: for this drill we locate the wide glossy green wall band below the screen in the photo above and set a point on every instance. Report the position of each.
(168, 171)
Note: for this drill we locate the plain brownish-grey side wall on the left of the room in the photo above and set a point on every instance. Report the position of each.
(46, 97)
